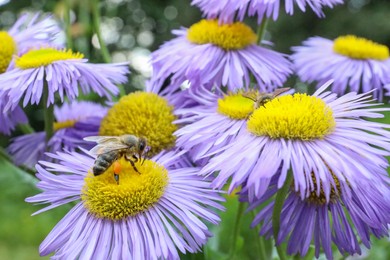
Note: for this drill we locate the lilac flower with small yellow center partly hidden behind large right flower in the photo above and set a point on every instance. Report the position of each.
(214, 123)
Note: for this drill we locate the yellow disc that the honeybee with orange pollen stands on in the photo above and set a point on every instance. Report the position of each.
(134, 193)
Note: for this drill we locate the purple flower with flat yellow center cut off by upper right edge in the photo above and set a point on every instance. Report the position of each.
(355, 64)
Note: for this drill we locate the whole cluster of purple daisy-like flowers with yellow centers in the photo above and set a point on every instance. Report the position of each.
(312, 168)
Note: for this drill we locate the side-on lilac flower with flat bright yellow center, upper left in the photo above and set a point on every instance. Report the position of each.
(58, 71)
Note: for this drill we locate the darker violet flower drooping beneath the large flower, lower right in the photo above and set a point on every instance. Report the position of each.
(346, 220)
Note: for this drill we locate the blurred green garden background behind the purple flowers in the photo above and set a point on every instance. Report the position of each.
(132, 29)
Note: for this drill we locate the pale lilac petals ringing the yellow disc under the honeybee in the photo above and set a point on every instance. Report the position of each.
(173, 223)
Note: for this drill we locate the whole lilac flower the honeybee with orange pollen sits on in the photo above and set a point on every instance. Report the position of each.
(151, 215)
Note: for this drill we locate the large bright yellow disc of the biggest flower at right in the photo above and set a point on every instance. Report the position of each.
(297, 116)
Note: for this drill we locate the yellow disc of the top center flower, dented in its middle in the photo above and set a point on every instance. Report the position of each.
(227, 36)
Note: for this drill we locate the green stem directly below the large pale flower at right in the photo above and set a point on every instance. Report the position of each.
(278, 206)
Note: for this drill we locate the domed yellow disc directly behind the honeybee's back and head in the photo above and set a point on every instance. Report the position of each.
(142, 114)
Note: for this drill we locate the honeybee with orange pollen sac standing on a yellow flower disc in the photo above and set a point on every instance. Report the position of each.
(111, 148)
